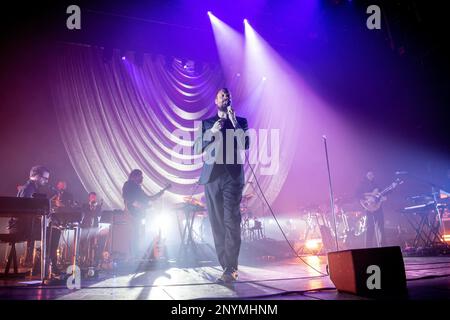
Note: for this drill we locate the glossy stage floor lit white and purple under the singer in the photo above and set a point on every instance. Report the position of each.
(428, 278)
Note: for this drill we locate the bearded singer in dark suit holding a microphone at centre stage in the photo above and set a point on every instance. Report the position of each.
(222, 139)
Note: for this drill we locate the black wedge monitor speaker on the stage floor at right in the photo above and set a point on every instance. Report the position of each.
(373, 272)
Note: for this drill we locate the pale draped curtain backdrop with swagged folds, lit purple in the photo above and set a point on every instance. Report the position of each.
(117, 115)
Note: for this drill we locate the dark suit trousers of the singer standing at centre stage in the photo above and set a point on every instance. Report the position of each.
(223, 197)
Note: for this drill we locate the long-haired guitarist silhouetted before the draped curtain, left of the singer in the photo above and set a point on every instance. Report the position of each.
(136, 202)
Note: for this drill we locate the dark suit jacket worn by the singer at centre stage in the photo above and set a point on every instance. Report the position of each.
(216, 156)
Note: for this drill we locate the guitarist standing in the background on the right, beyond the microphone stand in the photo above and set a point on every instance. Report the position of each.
(375, 235)
